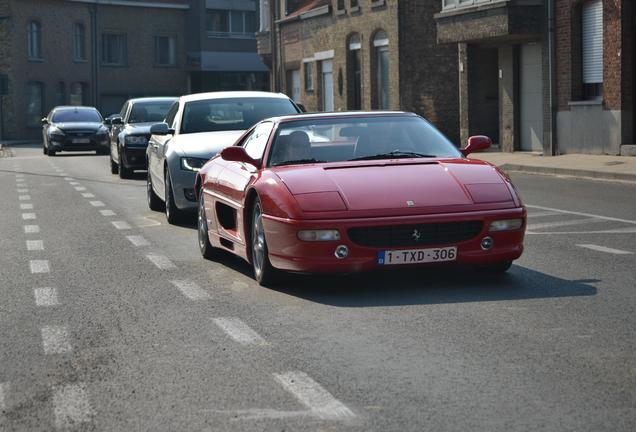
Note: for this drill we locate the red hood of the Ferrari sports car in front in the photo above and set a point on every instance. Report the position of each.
(421, 186)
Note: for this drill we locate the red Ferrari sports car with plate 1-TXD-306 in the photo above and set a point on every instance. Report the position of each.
(347, 192)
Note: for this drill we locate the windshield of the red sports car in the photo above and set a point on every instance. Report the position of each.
(360, 138)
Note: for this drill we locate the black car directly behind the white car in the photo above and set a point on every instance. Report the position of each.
(130, 132)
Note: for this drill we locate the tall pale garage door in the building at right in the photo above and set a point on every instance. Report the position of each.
(531, 94)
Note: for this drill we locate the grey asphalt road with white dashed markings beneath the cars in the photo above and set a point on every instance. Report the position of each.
(110, 320)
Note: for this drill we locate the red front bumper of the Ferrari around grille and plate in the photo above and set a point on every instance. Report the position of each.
(288, 253)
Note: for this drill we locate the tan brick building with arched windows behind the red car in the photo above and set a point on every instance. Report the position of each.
(361, 54)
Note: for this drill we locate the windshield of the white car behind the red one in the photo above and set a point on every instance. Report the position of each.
(232, 113)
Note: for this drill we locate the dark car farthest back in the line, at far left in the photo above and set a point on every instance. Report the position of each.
(74, 128)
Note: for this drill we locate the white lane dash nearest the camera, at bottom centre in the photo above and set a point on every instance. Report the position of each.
(319, 401)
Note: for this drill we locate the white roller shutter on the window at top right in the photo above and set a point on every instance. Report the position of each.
(592, 24)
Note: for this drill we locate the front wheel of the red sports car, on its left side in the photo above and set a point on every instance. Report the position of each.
(264, 273)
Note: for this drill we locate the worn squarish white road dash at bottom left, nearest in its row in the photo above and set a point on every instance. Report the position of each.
(71, 406)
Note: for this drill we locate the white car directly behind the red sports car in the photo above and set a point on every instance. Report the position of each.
(196, 128)
